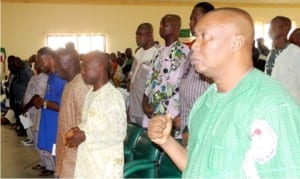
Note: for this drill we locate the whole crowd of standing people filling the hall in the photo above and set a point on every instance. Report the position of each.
(235, 108)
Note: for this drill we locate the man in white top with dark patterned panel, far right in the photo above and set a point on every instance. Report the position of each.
(283, 62)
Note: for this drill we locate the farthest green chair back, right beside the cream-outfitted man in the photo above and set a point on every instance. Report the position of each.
(133, 132)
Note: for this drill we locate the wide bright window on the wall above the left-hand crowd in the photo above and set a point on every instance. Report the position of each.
(83, 42)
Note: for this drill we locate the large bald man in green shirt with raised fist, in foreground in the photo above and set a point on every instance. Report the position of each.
(246, 125)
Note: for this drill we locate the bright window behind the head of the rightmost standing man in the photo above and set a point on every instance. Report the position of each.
(262, 30)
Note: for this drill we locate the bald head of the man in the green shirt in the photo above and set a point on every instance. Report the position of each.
(230, 33)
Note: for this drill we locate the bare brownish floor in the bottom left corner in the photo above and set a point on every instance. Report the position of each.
(16, 159)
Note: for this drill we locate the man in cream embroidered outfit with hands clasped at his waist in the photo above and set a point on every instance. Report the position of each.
(101, 133)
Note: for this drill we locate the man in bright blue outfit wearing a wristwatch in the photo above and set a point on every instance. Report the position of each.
(46, 57)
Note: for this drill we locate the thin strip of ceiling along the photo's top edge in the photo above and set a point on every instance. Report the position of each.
(166, 2)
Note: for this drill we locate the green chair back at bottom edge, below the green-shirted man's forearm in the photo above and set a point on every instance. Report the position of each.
(167, 169)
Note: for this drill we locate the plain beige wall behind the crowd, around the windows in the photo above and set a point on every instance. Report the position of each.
(24, 26)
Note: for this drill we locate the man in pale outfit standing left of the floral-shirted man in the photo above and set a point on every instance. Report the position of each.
(139, 71)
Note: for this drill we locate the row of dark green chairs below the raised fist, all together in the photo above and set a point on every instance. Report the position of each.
(144, 159)
